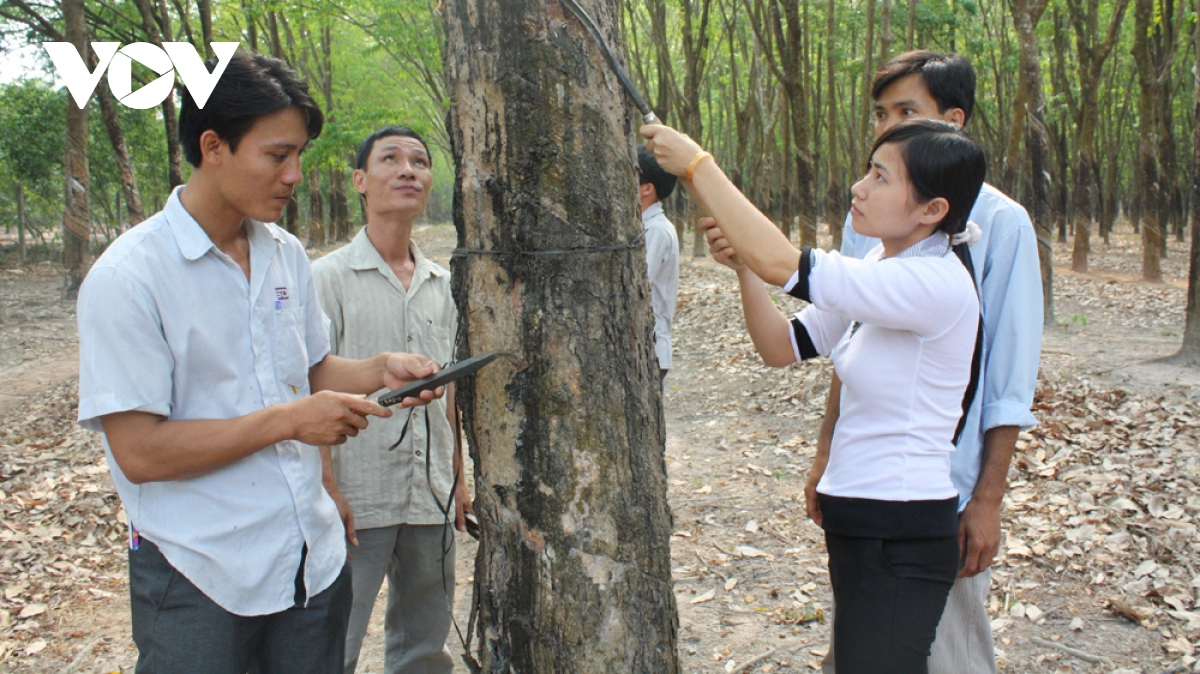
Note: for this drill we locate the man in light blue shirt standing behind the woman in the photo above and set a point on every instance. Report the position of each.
(937, 86)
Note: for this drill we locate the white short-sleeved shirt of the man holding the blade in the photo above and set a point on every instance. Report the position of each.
(170, 326)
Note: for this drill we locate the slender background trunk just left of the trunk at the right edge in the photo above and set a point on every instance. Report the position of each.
(1148, 38)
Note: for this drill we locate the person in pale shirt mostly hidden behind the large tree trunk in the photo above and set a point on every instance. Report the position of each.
(662, 252)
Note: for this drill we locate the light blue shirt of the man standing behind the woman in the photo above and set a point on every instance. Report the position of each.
(1006, 263)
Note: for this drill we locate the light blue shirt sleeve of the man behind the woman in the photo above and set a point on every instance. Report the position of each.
(1011, 291)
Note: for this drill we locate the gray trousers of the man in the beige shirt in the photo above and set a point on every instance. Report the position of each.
(418, 616)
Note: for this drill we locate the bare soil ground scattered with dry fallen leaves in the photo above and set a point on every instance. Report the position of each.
(1099, 571)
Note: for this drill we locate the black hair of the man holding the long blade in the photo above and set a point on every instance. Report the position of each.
(253, 87)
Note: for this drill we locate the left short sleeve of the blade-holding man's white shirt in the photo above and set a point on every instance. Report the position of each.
(125, 363)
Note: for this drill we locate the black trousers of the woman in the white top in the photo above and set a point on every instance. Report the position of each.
(890, 598)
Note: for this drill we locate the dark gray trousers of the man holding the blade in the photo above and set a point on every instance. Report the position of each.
(179, 630)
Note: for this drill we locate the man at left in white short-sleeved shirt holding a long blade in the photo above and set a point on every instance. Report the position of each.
(205, 360)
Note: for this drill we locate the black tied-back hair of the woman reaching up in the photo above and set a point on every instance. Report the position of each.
(940, 161)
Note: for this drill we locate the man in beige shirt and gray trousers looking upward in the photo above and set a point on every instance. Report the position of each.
(393, 490)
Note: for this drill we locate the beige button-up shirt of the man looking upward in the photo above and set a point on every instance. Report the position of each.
(370, 312)
